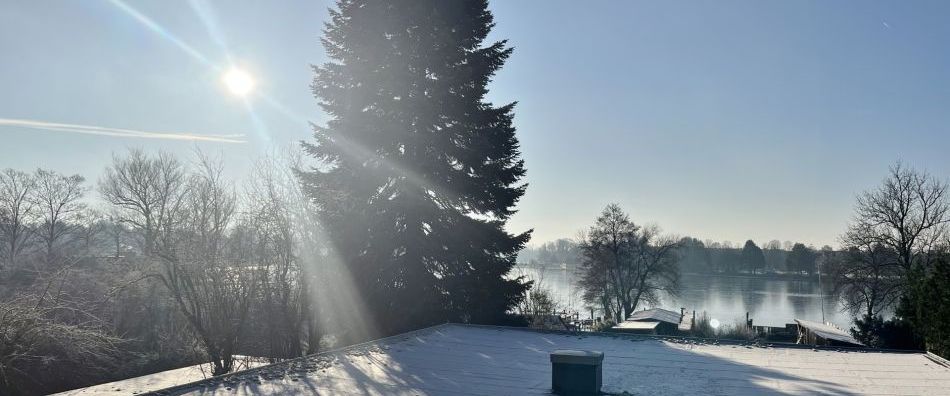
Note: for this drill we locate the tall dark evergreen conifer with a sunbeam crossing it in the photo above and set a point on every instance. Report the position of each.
(419, 173)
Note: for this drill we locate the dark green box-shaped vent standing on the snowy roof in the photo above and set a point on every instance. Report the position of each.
(576, 372)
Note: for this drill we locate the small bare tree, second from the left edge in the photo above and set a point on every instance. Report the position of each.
(57, 199)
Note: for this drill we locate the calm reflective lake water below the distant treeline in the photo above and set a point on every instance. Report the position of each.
(770, 302)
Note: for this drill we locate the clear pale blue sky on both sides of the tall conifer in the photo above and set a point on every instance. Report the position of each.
(720, 120)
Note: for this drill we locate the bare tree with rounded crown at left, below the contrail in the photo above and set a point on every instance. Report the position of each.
(149, 191)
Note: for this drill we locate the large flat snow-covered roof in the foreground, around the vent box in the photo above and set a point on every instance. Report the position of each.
(480, 360)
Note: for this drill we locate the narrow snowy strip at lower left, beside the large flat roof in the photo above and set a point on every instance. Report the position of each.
(164, 379)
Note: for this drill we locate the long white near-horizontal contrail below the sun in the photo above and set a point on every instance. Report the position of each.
(119, 132)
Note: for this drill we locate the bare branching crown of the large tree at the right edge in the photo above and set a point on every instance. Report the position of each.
(907, 213)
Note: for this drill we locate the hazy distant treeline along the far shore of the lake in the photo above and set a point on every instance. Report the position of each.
(706, 257)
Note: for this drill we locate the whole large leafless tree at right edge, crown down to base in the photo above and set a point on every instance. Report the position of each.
(897, 231)
